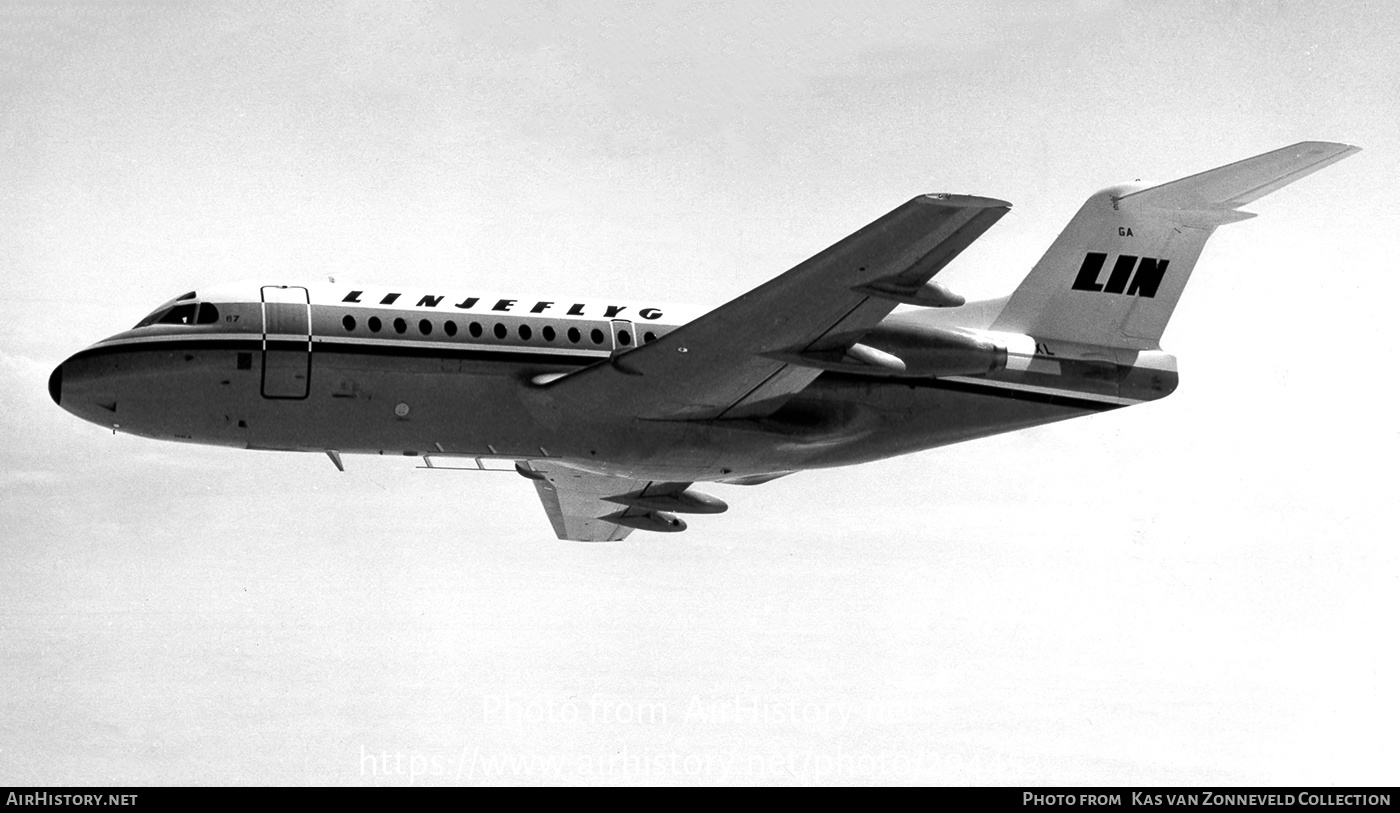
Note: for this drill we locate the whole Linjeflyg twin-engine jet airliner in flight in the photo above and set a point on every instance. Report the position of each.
(615, 409)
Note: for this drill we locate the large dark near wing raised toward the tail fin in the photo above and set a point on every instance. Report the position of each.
(738, 360)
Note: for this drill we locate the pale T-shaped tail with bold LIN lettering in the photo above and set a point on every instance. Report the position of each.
(1115, 275)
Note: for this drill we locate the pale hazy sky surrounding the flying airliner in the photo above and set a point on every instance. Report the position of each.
(1196, 591)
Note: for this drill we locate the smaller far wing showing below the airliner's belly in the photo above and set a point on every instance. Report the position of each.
(584, 507)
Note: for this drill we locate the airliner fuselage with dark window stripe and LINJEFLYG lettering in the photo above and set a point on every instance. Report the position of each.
(398, 372)
